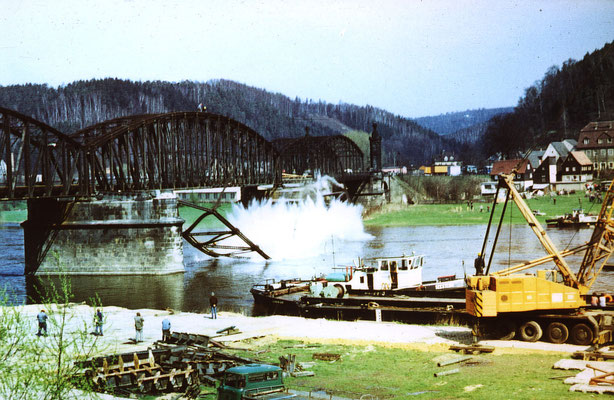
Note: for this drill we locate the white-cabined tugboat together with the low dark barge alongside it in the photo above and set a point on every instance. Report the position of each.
(389, 288)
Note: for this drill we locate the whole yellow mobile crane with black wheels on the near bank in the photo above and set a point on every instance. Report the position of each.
(550, 302)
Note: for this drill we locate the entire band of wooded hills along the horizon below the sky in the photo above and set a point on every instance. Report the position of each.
(553, 108)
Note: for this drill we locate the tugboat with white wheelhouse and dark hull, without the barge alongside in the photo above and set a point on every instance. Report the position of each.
(382, 277)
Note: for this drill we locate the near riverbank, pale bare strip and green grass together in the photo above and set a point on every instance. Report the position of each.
(385, 360)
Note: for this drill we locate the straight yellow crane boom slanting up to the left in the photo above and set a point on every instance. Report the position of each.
(507, 182)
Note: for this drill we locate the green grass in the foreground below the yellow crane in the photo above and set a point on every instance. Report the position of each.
(401, 373)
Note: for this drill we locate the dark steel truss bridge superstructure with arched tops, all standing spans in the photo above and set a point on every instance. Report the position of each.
(156, 151)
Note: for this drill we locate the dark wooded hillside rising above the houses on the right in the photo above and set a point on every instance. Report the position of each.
(557, 106)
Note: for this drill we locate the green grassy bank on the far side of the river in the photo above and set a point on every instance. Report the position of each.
(461, 214)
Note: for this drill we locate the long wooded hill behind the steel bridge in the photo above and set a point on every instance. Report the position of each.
(82, 103)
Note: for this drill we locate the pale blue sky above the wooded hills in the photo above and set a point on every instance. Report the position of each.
(412, 58)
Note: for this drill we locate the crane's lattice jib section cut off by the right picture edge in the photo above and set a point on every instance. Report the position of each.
(601, 244)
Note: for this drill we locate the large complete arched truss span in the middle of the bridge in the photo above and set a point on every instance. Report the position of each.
(188, 149)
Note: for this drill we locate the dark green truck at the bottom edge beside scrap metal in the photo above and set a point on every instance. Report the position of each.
(254, 382)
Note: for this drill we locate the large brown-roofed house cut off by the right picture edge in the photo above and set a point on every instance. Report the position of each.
(597, 141)
